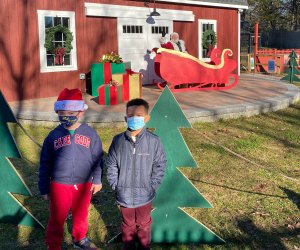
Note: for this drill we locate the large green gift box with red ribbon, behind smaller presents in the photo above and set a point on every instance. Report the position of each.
(101, 74)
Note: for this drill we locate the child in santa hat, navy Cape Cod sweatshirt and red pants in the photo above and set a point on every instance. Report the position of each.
(70, 171)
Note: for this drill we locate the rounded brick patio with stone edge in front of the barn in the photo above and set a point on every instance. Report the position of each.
(254, 94)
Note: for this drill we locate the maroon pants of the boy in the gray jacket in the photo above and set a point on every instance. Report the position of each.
(136, 222)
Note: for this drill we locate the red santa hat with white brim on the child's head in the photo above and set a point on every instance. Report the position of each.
(70, 99)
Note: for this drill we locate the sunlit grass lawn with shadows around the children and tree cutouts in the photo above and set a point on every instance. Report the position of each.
(256, 201)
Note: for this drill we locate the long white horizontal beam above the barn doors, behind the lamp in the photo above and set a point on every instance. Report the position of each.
(120, 11)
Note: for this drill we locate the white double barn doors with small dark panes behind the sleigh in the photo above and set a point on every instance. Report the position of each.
(135, 37)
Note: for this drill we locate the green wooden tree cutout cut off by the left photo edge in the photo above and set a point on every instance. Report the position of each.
(11, 210)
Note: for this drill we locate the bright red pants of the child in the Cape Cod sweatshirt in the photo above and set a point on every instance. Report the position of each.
(63, 198)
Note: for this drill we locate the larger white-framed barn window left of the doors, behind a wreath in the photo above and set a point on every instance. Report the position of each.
(57, 60)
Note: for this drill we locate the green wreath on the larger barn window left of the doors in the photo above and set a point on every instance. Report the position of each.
(50, 33)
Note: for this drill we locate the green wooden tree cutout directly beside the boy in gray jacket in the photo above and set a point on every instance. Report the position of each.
(170, 223)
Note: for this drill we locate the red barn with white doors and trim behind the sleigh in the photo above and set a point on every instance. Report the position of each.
(29, 70)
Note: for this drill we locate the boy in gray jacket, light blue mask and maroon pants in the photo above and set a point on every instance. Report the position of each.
(136, 165)
